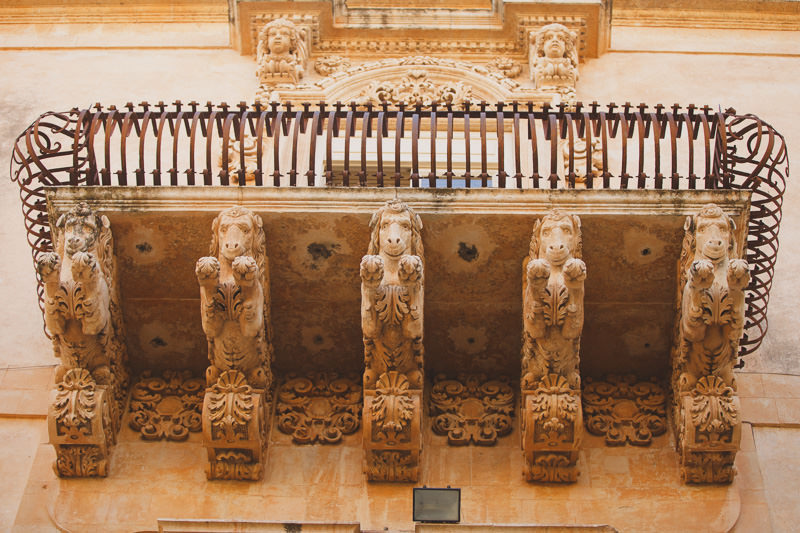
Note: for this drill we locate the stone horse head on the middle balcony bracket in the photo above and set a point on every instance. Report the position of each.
(395, 231)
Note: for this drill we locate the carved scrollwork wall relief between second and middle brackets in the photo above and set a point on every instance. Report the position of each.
(320, 408)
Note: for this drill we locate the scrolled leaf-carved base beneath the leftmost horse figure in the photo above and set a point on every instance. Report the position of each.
(79, 424)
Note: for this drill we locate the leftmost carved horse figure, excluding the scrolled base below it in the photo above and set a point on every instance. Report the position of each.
(81, 302)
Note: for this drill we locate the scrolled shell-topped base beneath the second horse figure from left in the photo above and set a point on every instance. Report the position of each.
(234, 428)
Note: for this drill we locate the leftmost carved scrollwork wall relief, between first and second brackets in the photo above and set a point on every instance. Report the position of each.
(167, 406)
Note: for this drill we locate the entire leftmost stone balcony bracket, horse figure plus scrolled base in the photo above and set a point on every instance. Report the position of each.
(83, 316)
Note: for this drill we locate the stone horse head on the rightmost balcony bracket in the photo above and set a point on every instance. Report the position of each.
(713, 234)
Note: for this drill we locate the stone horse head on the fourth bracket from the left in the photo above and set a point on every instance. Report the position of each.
(556, 237)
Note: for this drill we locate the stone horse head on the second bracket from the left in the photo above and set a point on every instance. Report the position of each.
(237, 231)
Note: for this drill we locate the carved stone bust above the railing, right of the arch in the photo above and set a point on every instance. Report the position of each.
(553, 59)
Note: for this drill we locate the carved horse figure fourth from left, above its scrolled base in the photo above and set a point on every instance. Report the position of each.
(553, 301)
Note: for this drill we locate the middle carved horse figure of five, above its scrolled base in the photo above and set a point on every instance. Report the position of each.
(392, 295)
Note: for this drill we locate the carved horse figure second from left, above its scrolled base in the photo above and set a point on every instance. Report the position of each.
(234, 298)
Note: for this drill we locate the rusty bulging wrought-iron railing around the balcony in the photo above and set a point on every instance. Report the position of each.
(500, 145)
